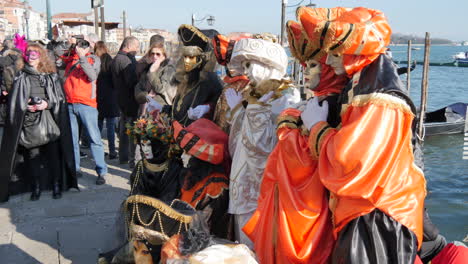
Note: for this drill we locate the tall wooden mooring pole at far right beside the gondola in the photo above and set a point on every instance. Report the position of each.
(424, 84)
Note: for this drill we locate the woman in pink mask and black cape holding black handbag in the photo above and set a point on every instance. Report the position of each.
(37, 104)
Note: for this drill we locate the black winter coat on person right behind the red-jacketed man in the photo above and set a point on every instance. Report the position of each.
(106, 91)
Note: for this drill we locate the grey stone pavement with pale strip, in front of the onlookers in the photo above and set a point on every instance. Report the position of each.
(74, 229)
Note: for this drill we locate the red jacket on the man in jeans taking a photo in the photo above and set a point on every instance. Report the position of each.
(80, 84)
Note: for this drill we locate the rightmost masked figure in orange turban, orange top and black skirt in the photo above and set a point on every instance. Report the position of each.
(367, 163)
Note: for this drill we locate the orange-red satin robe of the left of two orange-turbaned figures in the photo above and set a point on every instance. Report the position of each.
(292, 222)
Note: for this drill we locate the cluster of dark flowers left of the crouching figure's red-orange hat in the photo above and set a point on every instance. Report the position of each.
(156, 126)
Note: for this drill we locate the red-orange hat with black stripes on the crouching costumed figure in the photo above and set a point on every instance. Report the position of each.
(202, 139)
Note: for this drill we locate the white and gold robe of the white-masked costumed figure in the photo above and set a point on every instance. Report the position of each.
(252, 138)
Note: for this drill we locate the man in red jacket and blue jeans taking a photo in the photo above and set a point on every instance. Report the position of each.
(80, 88)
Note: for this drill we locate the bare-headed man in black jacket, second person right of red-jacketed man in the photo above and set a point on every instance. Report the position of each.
(124, 77)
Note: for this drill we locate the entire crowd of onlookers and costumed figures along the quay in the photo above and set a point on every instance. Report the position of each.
(240, 170)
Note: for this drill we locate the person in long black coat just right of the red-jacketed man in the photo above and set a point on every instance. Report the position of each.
(106, 97)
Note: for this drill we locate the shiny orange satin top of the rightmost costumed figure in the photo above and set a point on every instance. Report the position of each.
(368, 163)
